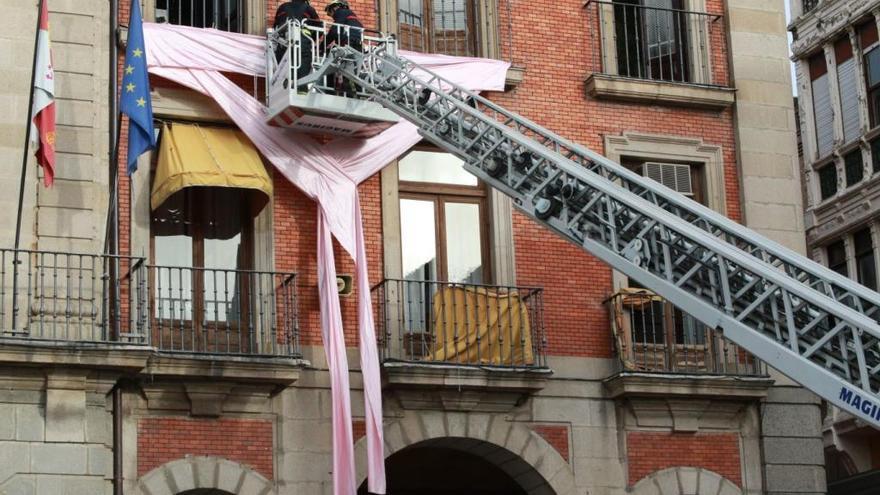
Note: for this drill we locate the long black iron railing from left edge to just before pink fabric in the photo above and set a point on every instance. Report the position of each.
(86, 298)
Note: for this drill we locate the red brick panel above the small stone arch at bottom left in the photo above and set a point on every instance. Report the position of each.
(161, 440)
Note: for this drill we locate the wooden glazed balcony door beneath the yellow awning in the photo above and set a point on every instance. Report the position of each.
(202, 257)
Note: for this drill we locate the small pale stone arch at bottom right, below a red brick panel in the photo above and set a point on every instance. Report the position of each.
(685, 481)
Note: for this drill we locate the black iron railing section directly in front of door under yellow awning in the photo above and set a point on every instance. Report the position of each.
(217, 311)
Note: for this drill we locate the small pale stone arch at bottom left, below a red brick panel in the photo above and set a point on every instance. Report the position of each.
(204, 475)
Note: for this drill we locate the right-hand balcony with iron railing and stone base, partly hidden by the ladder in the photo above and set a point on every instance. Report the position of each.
(664, 354)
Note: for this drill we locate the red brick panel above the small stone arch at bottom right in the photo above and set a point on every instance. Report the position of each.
(650, 452)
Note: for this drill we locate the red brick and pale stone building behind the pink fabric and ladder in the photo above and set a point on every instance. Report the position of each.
(193, 362)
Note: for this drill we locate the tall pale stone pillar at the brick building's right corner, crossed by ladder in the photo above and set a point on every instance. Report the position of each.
(772, 205)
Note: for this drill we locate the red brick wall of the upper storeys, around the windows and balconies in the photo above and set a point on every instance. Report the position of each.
(556, 58)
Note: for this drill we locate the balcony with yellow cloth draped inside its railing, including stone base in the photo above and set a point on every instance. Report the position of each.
(461, 347)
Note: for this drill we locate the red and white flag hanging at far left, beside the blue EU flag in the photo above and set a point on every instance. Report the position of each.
(43, 132)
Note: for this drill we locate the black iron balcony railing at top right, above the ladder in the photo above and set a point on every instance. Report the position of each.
(656, 43)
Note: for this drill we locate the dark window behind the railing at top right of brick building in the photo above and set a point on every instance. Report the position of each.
(652, 39)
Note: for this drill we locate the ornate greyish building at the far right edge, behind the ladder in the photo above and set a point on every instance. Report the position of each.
(837, 56)
